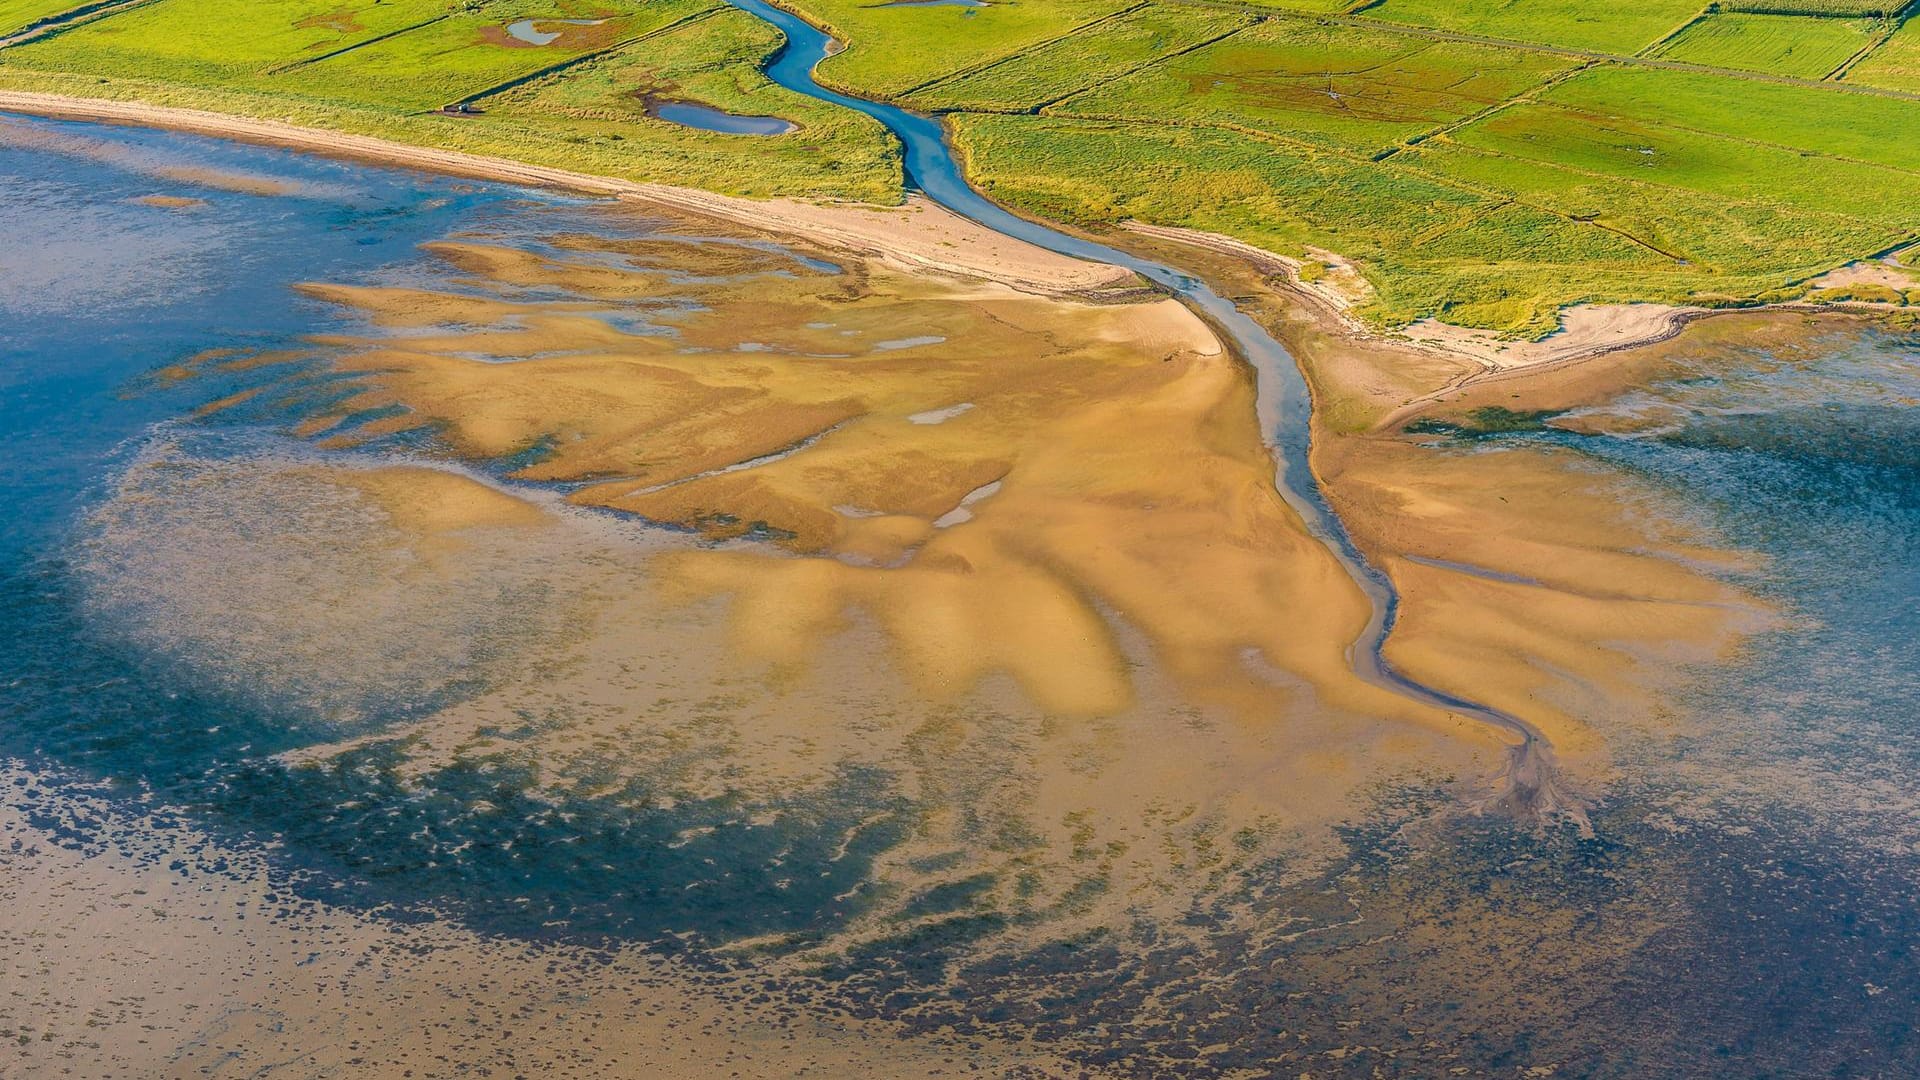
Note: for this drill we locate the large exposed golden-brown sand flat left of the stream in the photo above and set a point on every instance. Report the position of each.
(1003, 481)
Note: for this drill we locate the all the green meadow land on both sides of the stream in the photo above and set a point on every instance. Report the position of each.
(1481, 160)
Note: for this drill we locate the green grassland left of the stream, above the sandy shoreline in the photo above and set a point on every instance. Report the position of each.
(385, 68)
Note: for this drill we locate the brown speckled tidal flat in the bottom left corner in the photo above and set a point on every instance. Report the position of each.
(122, 968)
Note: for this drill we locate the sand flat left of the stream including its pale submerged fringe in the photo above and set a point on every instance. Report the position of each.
(1020, 554)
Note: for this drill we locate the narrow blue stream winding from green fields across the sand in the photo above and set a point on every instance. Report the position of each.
(1285, 401)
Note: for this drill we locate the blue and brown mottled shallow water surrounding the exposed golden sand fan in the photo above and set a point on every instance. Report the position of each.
(266, 677)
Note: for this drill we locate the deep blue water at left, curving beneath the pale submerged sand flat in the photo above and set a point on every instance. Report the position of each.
(99, 295)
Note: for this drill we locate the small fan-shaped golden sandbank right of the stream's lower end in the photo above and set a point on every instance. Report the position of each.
(1537, 583)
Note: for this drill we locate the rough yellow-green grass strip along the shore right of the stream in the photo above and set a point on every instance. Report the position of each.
(1431, 247)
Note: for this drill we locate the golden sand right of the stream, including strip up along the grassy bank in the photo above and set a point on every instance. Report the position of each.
(1531, 579)
